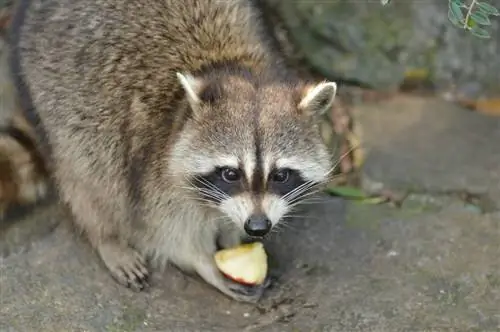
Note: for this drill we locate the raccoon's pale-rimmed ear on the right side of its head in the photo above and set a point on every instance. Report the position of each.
(318, 98)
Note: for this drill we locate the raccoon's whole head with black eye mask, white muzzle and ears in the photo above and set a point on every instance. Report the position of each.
(253, 150)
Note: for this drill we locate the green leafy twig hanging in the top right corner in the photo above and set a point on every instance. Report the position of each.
(472, 17)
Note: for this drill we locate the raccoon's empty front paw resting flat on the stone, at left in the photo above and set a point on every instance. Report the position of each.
(125, 264)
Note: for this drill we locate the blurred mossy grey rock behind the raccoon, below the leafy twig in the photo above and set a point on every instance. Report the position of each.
(365, 42)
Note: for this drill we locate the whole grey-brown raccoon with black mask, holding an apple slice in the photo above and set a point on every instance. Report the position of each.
(171, 128)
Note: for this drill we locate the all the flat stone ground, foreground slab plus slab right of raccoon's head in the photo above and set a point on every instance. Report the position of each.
(431, 265)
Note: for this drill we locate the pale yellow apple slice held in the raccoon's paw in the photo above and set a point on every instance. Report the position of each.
(245, 264)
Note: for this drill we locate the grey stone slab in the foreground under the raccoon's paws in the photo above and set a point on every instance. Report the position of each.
(345, 267)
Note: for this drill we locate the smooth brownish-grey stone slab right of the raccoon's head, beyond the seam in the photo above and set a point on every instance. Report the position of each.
(429, 144)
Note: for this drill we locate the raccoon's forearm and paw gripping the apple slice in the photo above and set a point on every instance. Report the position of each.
(239, 292)
